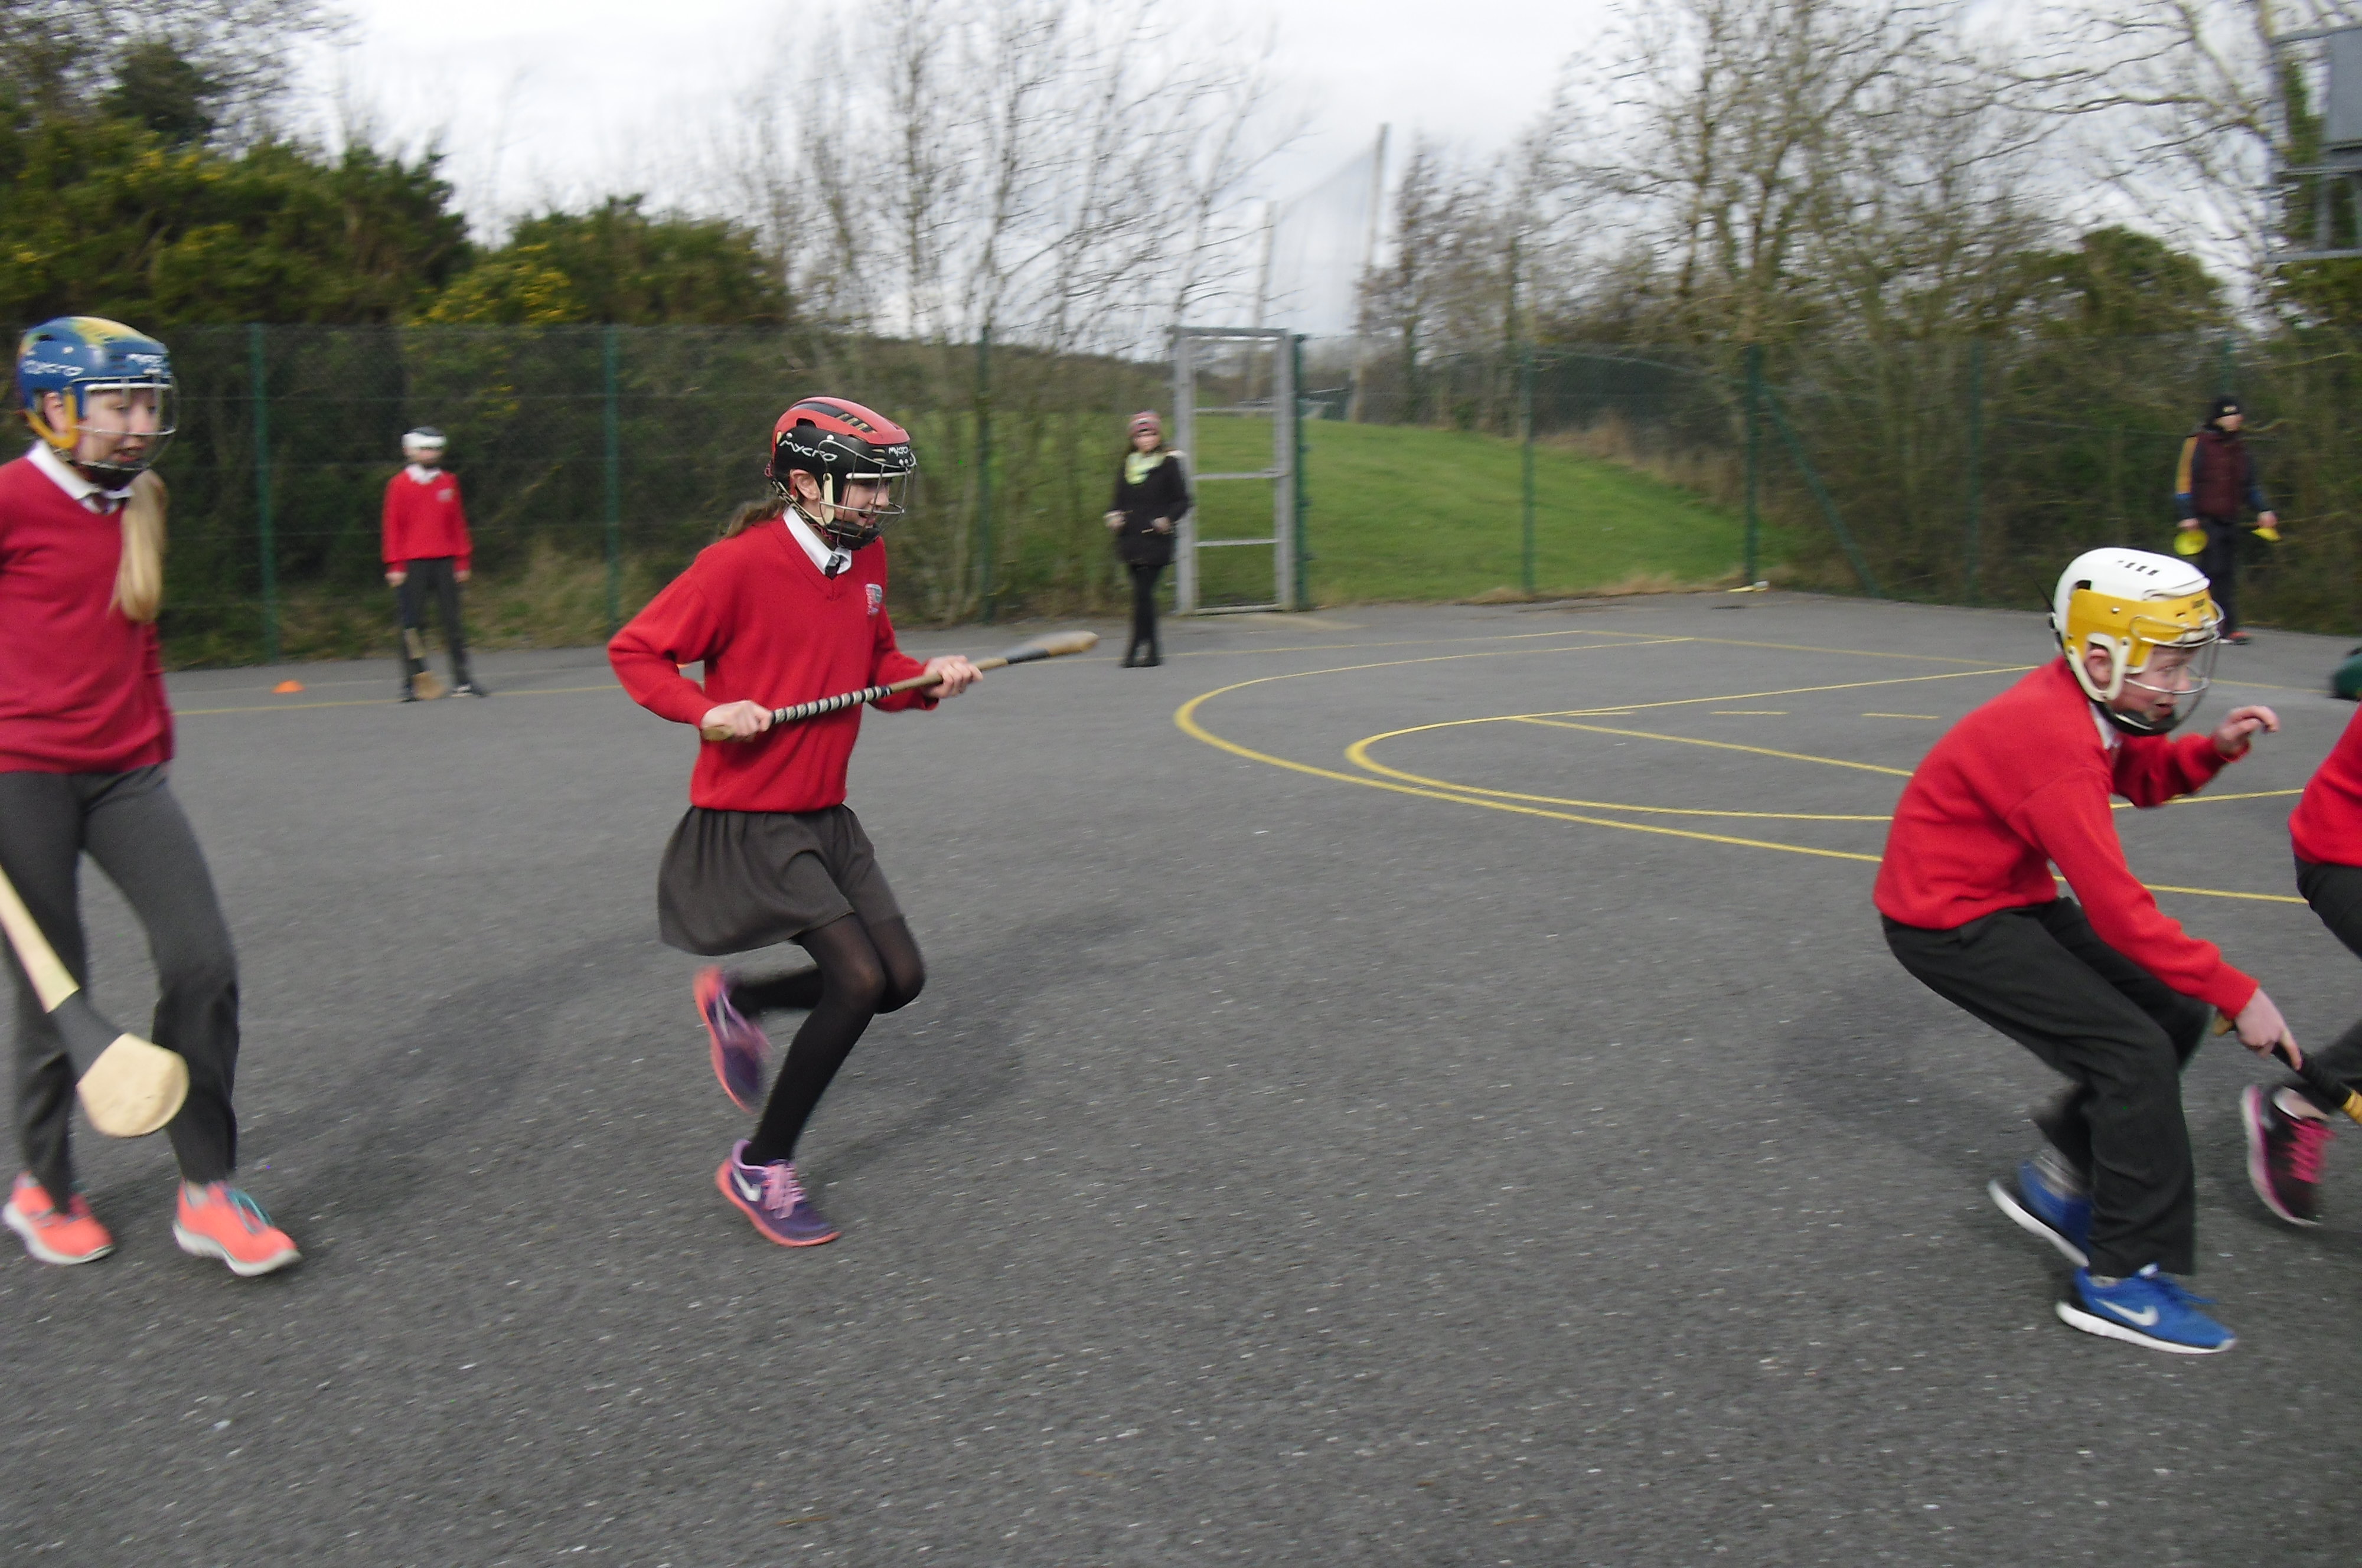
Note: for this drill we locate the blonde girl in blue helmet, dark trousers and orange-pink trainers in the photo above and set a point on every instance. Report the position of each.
(86, 747)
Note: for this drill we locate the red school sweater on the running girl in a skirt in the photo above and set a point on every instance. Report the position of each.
(774, 632)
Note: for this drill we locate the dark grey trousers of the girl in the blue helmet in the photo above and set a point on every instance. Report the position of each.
(136, 830)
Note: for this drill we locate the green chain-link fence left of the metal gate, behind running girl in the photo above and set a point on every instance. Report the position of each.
(596, 462)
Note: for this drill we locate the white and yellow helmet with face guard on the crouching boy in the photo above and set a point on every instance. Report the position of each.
(2132, 603)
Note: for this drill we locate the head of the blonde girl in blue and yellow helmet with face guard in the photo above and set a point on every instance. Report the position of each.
(110, 381)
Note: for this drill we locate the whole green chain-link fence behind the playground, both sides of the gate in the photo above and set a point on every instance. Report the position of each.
(596, 462)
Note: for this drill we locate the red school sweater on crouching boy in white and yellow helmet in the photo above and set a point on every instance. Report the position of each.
(2023, 785)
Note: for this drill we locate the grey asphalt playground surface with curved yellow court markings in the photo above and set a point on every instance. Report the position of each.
(1333, 1132)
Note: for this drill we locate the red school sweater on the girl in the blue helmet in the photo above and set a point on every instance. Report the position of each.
(81, 686)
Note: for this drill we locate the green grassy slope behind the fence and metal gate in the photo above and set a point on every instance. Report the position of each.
(1435, 516)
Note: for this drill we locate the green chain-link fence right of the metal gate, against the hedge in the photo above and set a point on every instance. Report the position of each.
(1943, 471)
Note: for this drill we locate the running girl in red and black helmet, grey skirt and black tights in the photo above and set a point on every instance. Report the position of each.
(788, 606)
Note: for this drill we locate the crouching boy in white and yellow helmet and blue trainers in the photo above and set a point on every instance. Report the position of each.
(2101, 986)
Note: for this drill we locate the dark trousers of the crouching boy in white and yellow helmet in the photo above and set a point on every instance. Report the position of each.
(2118, 1033)
